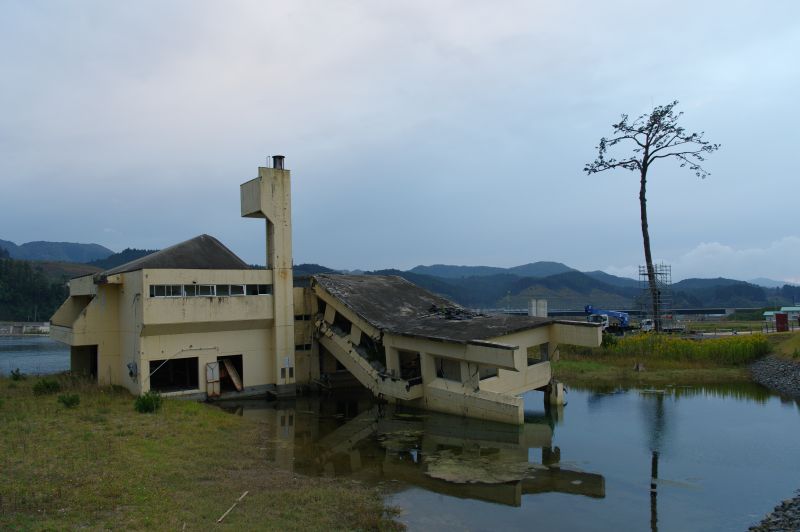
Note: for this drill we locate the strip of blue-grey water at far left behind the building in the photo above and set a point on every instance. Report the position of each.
(32, 355)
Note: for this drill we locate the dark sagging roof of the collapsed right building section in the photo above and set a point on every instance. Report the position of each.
(393, 304)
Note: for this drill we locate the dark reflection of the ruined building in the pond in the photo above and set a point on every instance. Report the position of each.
(352, 437)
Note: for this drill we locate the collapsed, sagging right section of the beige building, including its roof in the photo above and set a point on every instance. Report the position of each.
(407, 344)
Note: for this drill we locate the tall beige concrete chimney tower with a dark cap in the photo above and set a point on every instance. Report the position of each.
(269, 196)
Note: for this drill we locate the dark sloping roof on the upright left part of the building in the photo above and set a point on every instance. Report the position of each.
(202, 252)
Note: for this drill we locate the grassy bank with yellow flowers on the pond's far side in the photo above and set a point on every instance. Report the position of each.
(669, 360)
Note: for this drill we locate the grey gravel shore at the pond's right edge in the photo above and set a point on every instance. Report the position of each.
(783, 376)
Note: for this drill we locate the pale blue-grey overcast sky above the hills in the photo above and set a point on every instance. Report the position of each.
(417, 132)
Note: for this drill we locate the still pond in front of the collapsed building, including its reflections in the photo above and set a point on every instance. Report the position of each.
(679, 458)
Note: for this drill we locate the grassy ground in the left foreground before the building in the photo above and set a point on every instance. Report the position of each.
(101, 465)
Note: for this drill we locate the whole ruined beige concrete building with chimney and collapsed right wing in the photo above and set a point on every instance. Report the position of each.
(196, 320)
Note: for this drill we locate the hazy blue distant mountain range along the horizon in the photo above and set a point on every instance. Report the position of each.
(473, 286)
